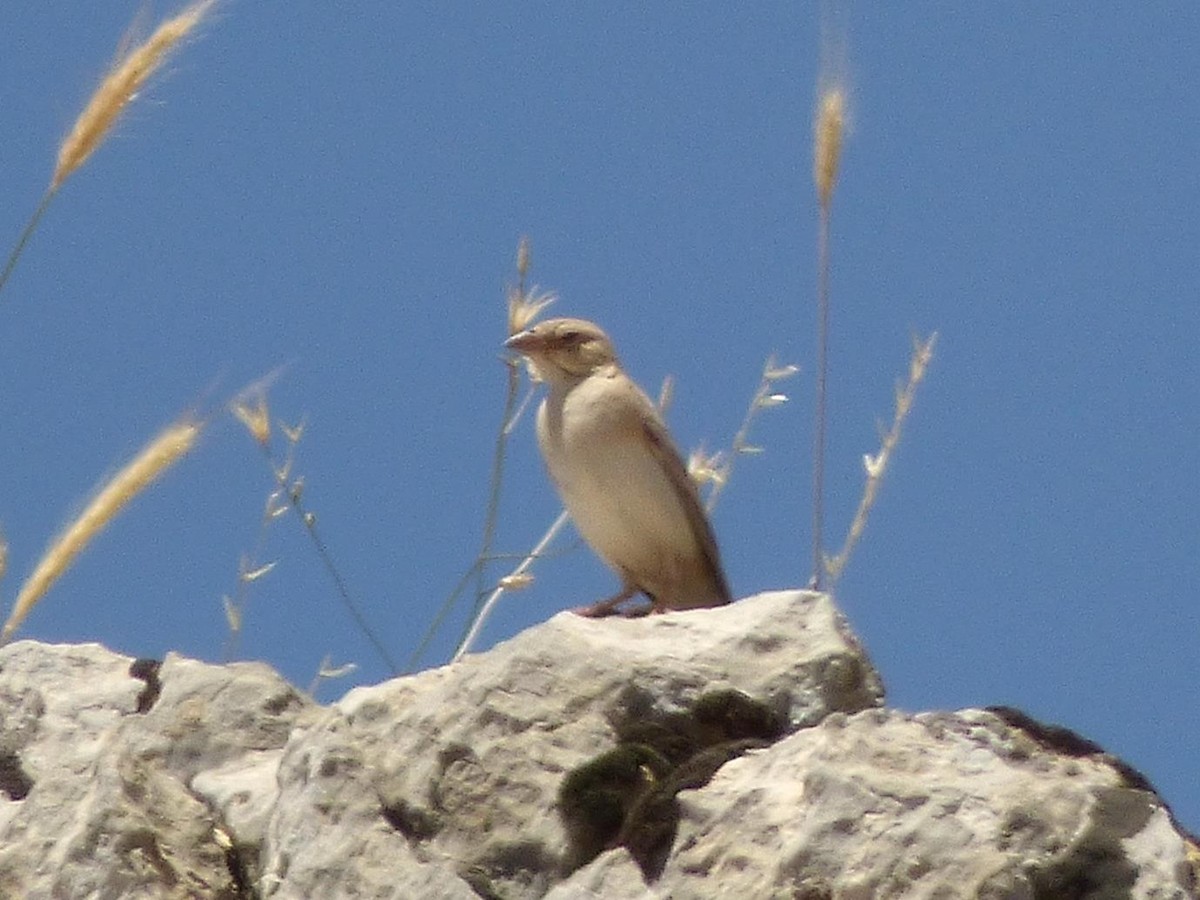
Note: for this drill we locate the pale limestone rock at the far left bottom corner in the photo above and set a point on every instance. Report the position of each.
(107, 748)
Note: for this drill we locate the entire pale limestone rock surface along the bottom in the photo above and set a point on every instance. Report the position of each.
(740, 752)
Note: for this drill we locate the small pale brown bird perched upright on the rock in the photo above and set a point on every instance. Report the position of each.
(620, 475)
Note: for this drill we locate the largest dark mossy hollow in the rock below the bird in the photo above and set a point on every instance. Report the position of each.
(627, 796)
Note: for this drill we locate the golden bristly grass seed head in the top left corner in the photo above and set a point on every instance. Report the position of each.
(129, 76)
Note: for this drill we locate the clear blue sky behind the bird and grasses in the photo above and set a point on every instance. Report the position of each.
(339, 190)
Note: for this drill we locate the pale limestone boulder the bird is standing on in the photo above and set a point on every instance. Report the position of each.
(466, 761)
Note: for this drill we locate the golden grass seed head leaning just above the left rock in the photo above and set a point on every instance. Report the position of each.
(155, 459)
